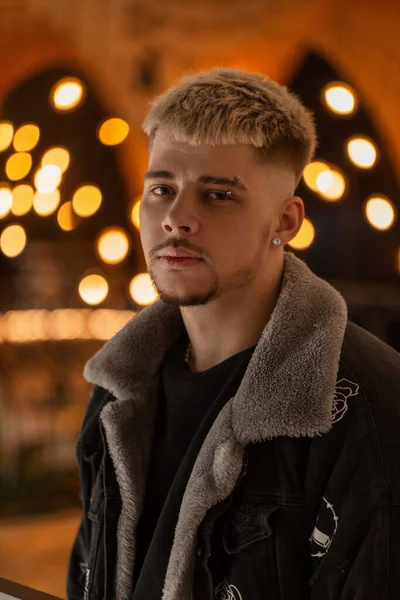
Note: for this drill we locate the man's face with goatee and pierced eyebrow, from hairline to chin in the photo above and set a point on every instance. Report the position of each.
(185, 208)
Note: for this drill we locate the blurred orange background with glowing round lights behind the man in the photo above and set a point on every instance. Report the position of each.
(76, 80)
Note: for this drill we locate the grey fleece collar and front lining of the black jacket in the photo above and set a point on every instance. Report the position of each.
(287, 390)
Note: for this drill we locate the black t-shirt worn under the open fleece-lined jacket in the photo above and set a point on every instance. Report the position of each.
(185, 400)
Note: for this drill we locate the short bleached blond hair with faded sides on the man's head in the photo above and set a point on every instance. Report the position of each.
(230, 106)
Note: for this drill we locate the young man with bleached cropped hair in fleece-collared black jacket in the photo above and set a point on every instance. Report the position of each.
(242, 440)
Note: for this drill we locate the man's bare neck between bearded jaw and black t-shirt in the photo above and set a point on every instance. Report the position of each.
(231, 323)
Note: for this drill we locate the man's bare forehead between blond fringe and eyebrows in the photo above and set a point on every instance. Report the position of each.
(167, 153)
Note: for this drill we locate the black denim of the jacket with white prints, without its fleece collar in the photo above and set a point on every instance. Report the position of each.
(310, 518)
